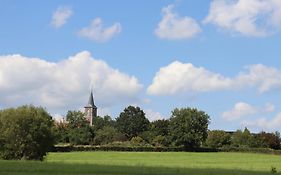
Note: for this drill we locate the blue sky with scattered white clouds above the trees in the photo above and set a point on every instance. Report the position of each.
(220, 56)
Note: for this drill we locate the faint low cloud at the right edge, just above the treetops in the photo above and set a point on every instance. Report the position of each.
(265, 124)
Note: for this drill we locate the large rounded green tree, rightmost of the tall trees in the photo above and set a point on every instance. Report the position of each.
(188, 127)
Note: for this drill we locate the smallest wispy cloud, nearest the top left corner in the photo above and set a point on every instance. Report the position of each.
(60, 16)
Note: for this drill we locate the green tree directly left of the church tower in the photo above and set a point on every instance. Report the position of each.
(80, 133)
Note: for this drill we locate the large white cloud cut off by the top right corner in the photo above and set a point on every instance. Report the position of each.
(253, 18)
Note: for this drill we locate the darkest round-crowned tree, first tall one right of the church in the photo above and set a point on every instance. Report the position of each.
(132, 121)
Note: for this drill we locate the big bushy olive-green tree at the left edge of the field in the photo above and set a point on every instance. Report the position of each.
(25, 133)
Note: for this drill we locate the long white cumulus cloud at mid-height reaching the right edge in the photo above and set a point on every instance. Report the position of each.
(179, 78)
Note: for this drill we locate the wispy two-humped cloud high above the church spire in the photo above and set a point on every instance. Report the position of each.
(97, 32)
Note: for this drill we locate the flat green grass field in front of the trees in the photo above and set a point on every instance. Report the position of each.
(137, 163)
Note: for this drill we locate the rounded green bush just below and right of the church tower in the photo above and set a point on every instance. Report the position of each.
(108, 135)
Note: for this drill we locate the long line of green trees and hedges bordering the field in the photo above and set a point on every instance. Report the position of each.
(29, 132)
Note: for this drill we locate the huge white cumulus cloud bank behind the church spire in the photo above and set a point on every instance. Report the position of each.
(65, 84)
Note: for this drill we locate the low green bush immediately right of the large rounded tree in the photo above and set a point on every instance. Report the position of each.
(218, 139)
